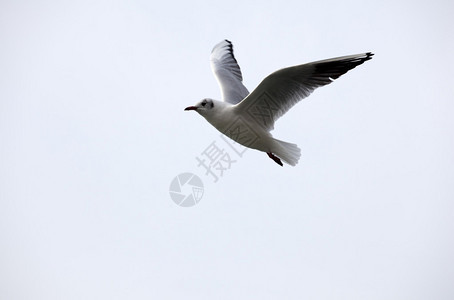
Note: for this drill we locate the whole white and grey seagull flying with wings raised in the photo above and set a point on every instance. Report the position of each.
(247, 118)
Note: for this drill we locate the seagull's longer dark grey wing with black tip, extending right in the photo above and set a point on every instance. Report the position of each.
(278, 92)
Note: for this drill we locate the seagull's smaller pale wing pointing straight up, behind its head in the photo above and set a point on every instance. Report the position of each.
(228, 73)
